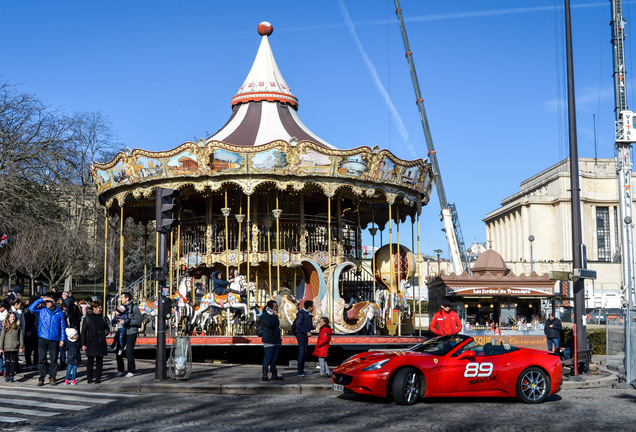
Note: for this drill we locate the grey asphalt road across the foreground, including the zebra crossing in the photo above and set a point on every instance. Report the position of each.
(570, 410)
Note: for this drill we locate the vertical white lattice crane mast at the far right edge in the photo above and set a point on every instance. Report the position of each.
(625, 136)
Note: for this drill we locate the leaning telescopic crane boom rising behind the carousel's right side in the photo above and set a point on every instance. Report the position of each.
(449, 216)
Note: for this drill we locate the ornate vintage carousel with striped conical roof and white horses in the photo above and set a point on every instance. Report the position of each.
(277, 210)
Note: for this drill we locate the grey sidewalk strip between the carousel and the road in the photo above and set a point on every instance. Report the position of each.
(235, 379)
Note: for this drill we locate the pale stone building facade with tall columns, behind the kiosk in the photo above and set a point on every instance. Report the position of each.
(541, 210)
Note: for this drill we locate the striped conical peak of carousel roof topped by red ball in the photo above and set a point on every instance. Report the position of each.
(264, 108)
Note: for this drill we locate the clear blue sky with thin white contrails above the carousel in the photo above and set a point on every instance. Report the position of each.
(491, 72)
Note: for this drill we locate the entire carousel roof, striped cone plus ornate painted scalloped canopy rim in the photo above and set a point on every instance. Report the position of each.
(264, 141)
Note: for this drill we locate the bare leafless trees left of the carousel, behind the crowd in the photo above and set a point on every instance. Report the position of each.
(44, 182)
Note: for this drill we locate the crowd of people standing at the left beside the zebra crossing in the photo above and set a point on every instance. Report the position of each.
(57, 330)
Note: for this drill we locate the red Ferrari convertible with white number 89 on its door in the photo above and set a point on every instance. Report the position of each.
(449, 366)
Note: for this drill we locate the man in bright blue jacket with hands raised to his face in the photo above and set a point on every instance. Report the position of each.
(51, 335)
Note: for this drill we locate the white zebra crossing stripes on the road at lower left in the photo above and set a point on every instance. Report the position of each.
(49, 402)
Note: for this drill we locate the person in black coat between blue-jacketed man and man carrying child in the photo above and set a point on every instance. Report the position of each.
(94, 331)
